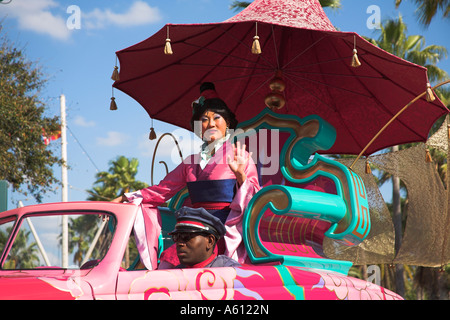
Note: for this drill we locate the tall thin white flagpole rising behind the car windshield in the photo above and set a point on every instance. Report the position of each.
(64, 182)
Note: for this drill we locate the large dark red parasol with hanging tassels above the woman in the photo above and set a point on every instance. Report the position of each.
(299, 45)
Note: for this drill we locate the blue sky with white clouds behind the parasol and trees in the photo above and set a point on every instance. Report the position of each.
(79, 61)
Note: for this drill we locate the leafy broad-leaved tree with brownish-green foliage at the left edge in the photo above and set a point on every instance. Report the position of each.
(25, 161)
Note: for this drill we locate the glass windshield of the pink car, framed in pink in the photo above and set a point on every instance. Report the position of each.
(38, 241)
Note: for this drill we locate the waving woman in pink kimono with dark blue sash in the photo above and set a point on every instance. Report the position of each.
(222, 178)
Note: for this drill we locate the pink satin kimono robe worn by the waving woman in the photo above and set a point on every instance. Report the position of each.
(189, 170)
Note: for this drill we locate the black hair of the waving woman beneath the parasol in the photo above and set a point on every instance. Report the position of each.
(216, 105)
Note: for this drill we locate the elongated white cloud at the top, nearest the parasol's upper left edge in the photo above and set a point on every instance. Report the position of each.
(139, 13)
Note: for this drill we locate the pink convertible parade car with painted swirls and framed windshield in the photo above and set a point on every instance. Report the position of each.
(30, 267)
